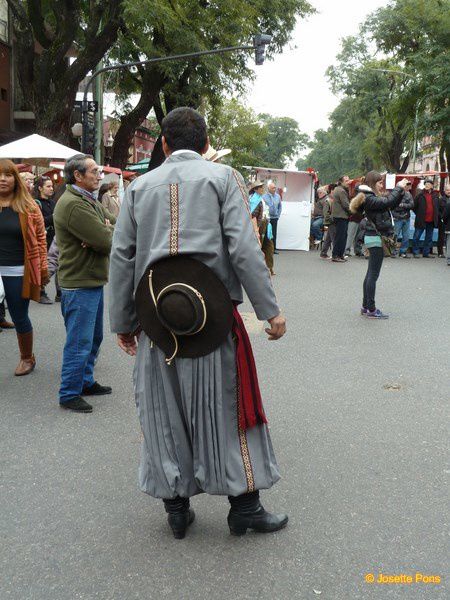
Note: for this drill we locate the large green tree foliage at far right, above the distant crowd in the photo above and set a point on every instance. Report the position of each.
(374, 123)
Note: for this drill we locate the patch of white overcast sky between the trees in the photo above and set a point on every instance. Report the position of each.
(294, 84)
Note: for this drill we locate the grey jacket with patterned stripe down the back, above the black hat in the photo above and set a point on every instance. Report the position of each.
(187, 206)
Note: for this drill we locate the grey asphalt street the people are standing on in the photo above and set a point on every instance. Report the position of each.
(364, 470)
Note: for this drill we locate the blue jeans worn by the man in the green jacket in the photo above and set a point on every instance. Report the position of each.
(83, 317)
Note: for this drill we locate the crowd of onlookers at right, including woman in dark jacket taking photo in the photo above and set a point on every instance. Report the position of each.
(376, 223)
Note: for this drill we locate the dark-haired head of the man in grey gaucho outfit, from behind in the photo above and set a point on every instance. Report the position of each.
(184, 129)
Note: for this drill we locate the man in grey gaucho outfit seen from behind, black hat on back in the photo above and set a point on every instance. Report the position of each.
(204, 427)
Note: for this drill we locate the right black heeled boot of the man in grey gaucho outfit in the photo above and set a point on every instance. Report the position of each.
(246, 512)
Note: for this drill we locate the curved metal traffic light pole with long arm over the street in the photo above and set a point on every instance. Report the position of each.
(259, 43)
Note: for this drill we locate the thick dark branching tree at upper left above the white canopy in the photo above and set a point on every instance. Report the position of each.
(45, 34)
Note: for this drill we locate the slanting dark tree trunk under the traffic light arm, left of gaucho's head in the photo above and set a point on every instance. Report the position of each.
(151, 86)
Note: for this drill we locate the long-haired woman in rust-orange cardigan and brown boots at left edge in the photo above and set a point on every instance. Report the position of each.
(23, 257)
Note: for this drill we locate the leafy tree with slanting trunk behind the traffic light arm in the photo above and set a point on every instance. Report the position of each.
(165, 28)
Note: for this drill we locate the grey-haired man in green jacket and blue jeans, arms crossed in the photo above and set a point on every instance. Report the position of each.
(84, 231)
